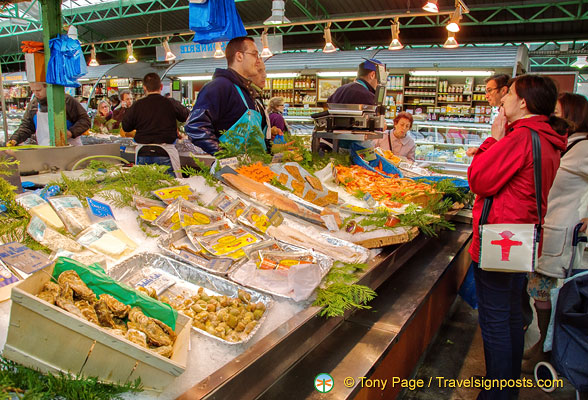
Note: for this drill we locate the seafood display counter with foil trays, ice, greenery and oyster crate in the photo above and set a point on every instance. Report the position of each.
(286, 239)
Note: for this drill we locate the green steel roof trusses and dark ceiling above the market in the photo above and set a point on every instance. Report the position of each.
(555, 31)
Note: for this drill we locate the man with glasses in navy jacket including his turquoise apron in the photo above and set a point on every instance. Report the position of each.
(225, 109)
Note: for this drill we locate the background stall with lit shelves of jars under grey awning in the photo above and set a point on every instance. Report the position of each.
(443, 90)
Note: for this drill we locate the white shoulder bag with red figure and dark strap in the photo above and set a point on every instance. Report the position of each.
(512, 247)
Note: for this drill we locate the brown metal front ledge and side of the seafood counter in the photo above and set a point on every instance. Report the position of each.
(284, 363)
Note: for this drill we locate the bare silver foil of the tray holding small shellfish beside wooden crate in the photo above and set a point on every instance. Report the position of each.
(192, 278)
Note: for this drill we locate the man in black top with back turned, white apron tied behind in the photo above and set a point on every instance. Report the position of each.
(155, 119)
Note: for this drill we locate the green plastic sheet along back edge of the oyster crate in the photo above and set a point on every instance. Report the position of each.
(97, 280)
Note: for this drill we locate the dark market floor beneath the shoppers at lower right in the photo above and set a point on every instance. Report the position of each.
(457, 352)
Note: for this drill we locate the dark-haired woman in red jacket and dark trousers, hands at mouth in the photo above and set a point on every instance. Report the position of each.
(503, 168)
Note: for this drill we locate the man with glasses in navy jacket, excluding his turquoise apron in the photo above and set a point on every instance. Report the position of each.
(219, 104)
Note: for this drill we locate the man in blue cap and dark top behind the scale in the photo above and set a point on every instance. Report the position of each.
(362, 90)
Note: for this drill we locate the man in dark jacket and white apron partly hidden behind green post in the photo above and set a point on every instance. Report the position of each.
(35, 120)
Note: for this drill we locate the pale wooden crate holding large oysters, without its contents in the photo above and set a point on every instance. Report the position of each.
(48, 338)
